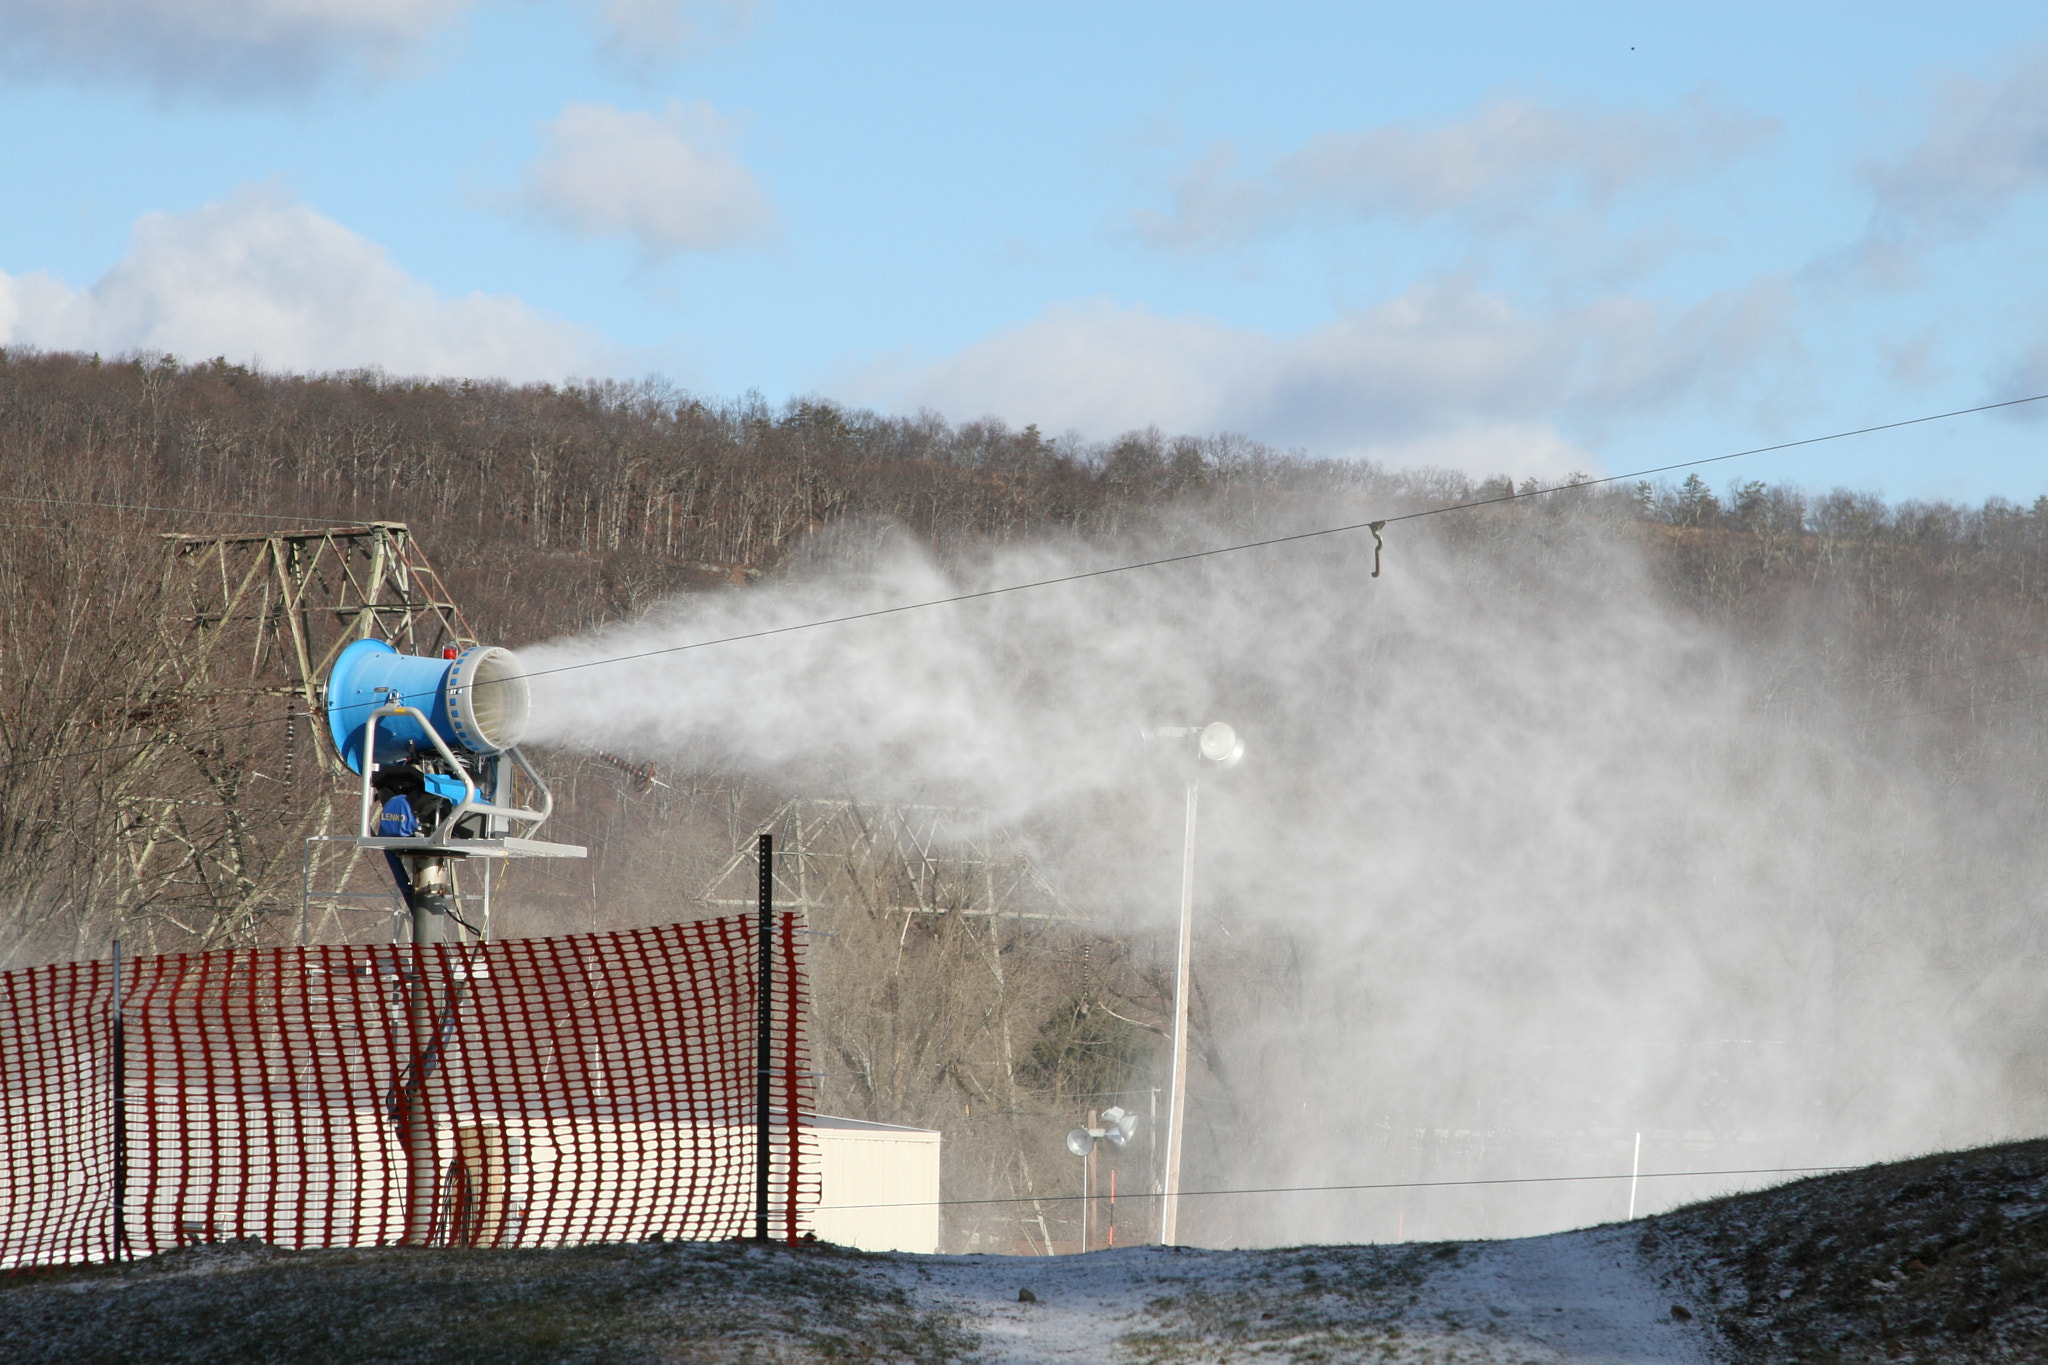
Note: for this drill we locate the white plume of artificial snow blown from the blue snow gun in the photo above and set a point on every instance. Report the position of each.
(1523, 858)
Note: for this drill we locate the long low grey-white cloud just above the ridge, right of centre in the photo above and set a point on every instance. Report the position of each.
(1443, 376)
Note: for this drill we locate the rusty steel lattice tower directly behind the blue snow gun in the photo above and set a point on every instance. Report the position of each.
(241, 764)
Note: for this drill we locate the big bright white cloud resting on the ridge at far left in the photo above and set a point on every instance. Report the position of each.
(263, 279)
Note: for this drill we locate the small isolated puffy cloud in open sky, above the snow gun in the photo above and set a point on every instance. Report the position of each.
(663, 181)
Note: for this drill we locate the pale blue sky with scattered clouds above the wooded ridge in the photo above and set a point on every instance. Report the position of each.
(1498, 238)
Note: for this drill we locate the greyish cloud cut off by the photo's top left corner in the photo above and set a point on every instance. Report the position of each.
(224, 46)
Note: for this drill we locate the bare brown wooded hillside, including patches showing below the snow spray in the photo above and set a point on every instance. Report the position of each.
(552, 511)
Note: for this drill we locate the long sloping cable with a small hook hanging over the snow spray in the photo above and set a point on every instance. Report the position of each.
(1273, 541)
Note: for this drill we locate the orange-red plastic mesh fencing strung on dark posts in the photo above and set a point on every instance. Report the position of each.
(595, 1088)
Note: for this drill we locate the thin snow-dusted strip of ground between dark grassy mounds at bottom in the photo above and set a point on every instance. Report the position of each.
(1576, 1296)
